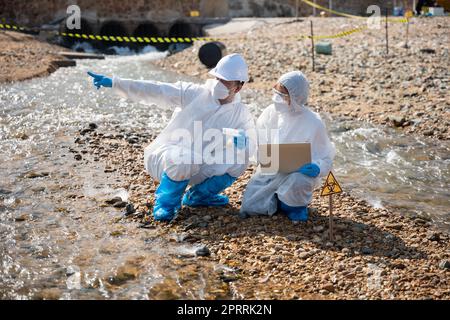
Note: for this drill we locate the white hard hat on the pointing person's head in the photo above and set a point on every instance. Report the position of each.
(231, 68)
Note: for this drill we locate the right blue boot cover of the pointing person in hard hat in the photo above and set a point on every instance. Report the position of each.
(207, 192)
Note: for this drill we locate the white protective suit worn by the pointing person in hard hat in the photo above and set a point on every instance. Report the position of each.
(195, 111)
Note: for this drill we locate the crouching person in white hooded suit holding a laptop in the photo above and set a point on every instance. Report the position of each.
(293, 122)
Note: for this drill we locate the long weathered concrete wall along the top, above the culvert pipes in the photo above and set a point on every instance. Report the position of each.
(162, 17)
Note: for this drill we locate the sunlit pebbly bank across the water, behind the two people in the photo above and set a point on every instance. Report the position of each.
(407, 90)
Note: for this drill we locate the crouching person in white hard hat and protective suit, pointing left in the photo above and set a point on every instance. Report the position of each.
(192, 149)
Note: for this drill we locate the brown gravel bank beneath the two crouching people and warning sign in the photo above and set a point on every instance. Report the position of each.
(377, 254)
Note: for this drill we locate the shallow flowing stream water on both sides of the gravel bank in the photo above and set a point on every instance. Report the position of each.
(59, 241)
